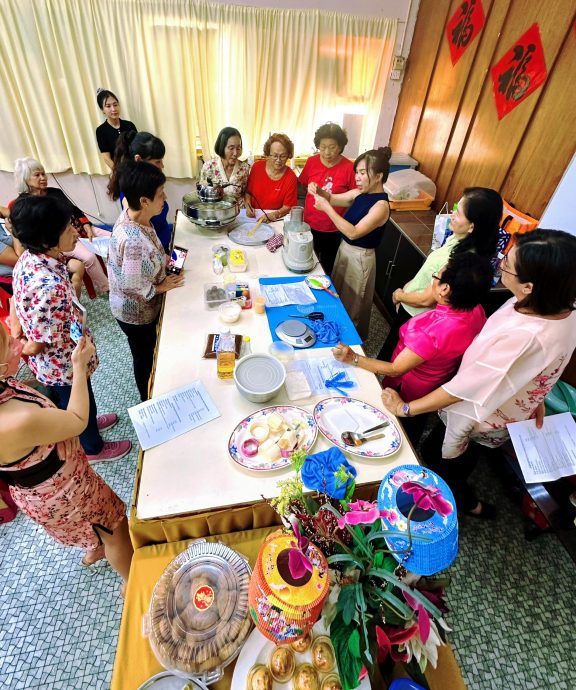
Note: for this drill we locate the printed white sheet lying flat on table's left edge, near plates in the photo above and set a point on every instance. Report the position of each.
(170, 415)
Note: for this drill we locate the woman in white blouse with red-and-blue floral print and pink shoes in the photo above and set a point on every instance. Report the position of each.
(44, 304)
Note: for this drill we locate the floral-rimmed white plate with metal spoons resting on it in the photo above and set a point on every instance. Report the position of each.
(335, 415)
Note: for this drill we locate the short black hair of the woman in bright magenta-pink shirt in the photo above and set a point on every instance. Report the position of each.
(469, 276)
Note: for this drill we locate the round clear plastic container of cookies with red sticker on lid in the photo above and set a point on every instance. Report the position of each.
(199, 618)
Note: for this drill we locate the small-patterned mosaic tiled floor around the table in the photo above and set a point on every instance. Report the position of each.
(512, 601)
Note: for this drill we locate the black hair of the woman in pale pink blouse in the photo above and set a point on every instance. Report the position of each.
(547, 259)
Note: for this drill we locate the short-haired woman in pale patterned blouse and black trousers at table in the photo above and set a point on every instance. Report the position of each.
(137, 265)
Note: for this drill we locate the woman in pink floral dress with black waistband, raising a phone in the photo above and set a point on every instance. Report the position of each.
(43, 462)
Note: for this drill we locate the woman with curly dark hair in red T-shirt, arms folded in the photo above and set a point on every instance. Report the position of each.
(334, 173)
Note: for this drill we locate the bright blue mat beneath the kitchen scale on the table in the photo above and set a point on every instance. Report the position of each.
(331, 306)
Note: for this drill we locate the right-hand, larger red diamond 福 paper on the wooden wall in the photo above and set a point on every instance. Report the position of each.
(520, 72)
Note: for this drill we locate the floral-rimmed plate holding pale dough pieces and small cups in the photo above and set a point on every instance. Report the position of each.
(295, 418)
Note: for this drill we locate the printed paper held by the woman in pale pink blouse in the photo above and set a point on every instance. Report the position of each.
(548, 453)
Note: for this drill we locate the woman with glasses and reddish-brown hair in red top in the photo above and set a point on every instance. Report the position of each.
(272, 185)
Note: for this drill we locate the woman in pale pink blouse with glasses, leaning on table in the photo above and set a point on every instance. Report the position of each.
(510, 367)
